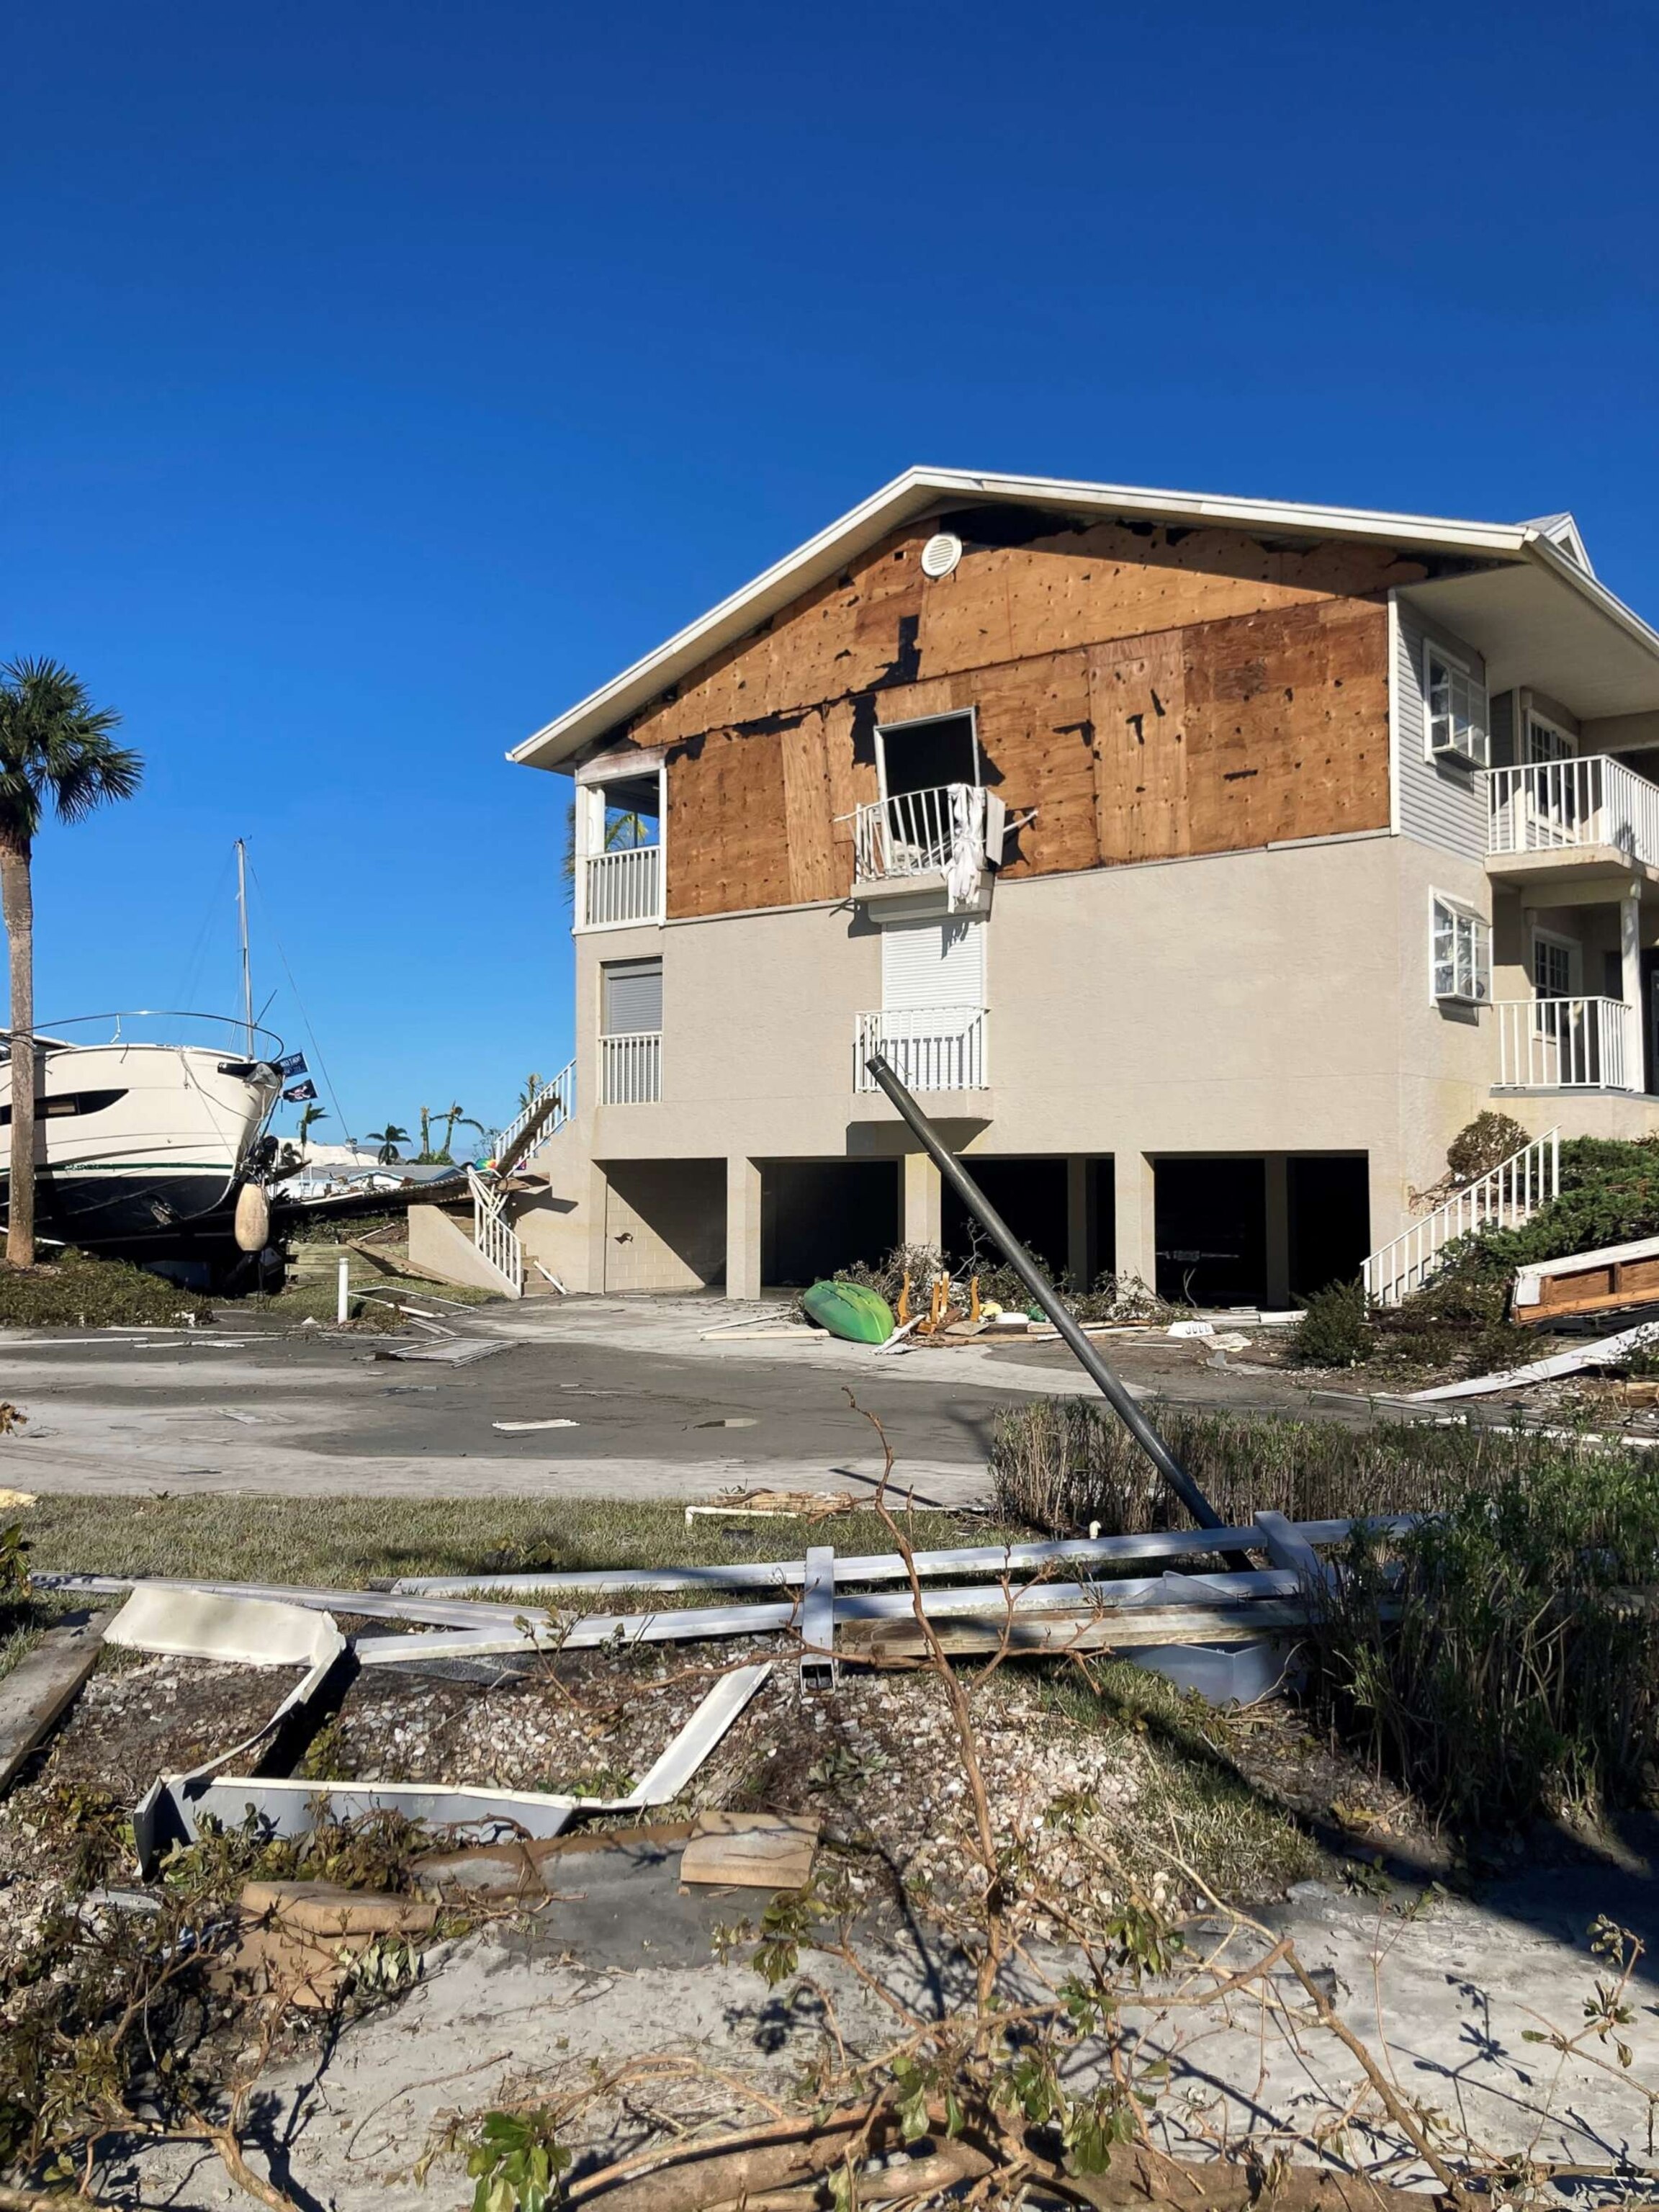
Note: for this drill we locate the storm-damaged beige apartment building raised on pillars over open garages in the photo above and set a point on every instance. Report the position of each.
(1202, 866)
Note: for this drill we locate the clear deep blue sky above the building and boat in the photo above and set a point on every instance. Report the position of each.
(379, 379)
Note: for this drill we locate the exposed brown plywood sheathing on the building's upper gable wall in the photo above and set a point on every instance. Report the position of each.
(1147, 691)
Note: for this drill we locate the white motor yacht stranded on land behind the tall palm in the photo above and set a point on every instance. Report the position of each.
(140, 1136)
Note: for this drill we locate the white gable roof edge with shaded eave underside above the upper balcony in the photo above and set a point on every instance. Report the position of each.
(1565, 598)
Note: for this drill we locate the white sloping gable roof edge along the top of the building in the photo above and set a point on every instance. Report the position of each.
(1550, 543)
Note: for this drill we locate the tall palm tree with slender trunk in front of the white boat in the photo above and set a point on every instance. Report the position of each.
(54, 751)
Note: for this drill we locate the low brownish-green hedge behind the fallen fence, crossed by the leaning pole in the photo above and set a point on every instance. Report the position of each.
(1065, 1463)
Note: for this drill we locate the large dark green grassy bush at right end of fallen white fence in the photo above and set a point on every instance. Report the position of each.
(1510, 1667)
